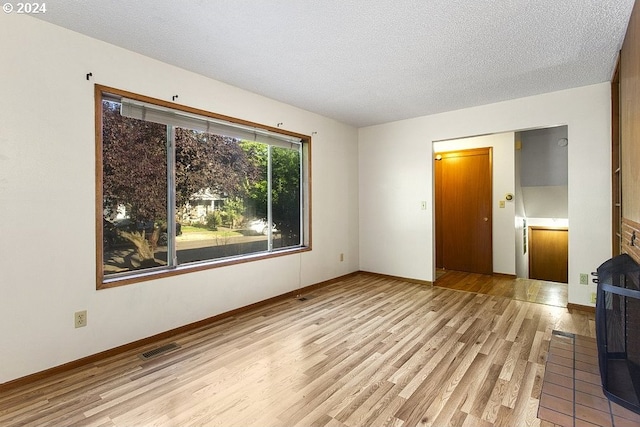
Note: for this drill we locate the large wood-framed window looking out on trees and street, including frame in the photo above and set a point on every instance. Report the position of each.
(182, 189)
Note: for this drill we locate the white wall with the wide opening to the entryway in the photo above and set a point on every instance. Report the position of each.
(396, 174)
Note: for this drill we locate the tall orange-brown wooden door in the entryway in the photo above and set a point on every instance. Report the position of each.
(463, 211)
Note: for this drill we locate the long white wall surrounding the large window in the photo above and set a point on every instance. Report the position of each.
(47, 201)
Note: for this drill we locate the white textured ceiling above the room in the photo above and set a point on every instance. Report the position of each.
(366, 62)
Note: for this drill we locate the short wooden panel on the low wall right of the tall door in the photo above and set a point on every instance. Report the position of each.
(549, 254)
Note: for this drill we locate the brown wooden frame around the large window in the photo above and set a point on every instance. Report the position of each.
(103, 282)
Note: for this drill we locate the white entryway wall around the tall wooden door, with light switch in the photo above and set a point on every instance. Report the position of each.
(503, 166)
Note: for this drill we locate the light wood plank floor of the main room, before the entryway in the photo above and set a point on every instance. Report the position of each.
(364, 351)
